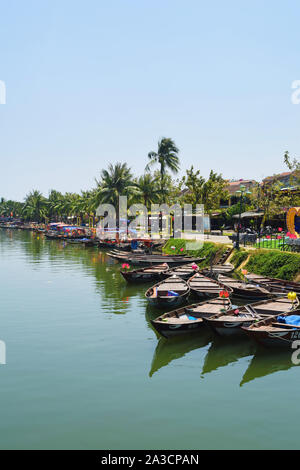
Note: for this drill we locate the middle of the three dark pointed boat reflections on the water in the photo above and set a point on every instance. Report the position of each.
(223, 352)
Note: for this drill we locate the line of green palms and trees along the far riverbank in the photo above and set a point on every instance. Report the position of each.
(157, 185)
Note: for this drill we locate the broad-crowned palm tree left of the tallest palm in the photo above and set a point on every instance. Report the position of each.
(116, 181)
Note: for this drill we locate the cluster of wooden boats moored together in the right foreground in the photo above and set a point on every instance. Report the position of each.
(271, 314)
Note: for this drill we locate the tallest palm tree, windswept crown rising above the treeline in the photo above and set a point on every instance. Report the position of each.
(166, 156)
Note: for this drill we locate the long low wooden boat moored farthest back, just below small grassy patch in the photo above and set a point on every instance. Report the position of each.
(148, 260)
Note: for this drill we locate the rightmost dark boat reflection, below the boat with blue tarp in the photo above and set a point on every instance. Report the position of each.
(267, 361)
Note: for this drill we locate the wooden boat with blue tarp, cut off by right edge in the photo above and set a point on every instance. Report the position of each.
(279, 331)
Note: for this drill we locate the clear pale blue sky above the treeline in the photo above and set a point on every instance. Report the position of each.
(92, 82)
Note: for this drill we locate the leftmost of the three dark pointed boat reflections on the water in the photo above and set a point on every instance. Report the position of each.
(168, 350)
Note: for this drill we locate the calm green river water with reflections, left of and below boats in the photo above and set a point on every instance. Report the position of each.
(86, 371)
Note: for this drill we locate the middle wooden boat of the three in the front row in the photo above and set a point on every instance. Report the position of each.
(231, 322)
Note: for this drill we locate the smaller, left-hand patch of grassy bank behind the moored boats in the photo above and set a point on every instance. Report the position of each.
(209, 249)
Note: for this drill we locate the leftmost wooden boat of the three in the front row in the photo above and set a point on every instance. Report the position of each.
(188, 319)
